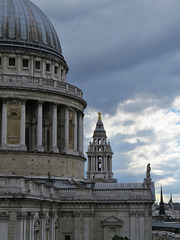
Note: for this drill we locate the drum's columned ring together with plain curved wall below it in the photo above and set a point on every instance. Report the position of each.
(41, 128)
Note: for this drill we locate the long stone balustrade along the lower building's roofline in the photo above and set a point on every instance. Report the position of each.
(16, 187)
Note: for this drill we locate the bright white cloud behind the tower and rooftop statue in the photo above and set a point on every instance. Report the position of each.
(152, 132)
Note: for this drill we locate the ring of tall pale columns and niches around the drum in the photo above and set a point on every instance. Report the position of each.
(9, 106)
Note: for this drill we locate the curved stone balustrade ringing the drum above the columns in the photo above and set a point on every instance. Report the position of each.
(16, 81)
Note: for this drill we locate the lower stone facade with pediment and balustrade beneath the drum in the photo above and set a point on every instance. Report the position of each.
(70, 209)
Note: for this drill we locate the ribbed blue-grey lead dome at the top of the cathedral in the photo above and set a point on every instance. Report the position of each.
(24, 25)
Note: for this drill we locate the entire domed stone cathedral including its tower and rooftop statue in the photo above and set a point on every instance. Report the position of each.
(43, 192)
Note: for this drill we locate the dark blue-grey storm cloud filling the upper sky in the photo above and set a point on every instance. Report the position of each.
(115, 48)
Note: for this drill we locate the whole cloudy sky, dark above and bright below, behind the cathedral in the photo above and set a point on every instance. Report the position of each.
(125, 56)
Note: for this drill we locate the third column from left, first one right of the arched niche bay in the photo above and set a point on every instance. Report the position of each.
(39, 146)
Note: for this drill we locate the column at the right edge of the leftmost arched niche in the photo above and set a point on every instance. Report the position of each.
(23, 126)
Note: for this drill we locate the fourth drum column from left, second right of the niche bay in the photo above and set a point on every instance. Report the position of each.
(54, 130)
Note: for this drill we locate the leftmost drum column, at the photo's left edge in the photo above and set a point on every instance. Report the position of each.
(4, 125)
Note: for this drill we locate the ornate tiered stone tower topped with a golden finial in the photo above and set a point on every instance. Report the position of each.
(99, 156)
